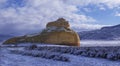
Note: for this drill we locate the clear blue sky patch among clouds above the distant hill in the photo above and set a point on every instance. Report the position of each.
(106, 16)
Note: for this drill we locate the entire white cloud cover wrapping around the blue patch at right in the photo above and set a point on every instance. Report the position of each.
(36, 13)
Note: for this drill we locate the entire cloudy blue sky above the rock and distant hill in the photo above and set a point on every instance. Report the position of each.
(29, 16)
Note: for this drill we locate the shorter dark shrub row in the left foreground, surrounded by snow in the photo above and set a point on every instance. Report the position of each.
(46, 55)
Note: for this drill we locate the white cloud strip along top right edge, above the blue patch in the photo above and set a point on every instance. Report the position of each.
(108, 3)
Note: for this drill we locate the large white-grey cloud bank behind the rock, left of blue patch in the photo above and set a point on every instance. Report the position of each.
(36, 13)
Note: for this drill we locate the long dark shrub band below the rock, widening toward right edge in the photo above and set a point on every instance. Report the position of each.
(112, 53)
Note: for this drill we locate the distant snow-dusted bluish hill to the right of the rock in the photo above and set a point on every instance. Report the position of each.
(105, 33)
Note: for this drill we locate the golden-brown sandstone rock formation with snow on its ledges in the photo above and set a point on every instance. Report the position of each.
(56, 32)
